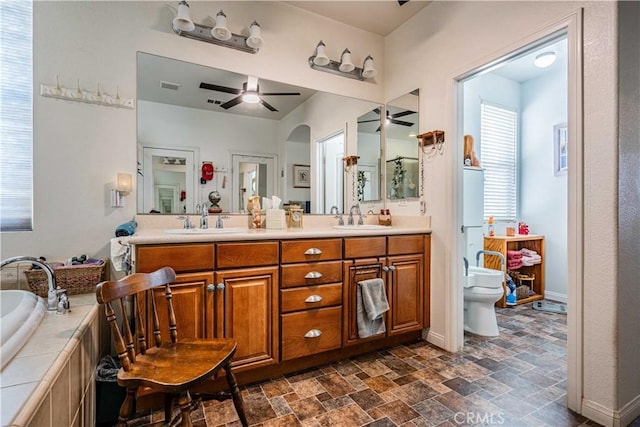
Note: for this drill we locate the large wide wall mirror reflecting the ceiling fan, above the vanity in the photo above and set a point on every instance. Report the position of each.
(189, 114)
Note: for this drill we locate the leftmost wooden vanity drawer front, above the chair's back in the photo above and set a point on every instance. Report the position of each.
(181, 258)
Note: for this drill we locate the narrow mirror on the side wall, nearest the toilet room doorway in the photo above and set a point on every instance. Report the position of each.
(401, 127)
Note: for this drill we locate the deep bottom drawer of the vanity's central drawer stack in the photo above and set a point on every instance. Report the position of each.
(311, 331)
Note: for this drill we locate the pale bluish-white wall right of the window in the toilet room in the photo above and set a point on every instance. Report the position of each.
(543, 196)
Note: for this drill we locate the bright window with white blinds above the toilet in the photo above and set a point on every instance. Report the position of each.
(498, 141)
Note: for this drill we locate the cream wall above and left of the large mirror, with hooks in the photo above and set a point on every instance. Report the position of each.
(79, 148)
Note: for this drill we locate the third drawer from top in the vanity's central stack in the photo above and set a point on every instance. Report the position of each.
(307, 297)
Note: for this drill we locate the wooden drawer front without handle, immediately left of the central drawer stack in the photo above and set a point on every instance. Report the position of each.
(251, 254)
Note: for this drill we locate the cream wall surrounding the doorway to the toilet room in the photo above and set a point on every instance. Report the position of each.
(446, 39)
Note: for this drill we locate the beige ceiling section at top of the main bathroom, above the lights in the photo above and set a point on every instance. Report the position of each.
(378, 17)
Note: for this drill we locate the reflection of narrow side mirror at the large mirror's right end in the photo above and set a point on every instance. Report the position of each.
(369, 150)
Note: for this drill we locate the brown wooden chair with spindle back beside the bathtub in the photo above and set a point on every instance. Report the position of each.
(173, 367)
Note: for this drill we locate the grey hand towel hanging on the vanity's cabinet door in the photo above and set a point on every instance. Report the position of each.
(371, 304)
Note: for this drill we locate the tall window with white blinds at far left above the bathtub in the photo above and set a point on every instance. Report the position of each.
(16, 116)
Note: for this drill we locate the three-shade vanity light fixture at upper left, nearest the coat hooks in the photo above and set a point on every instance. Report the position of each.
(218, 34)
